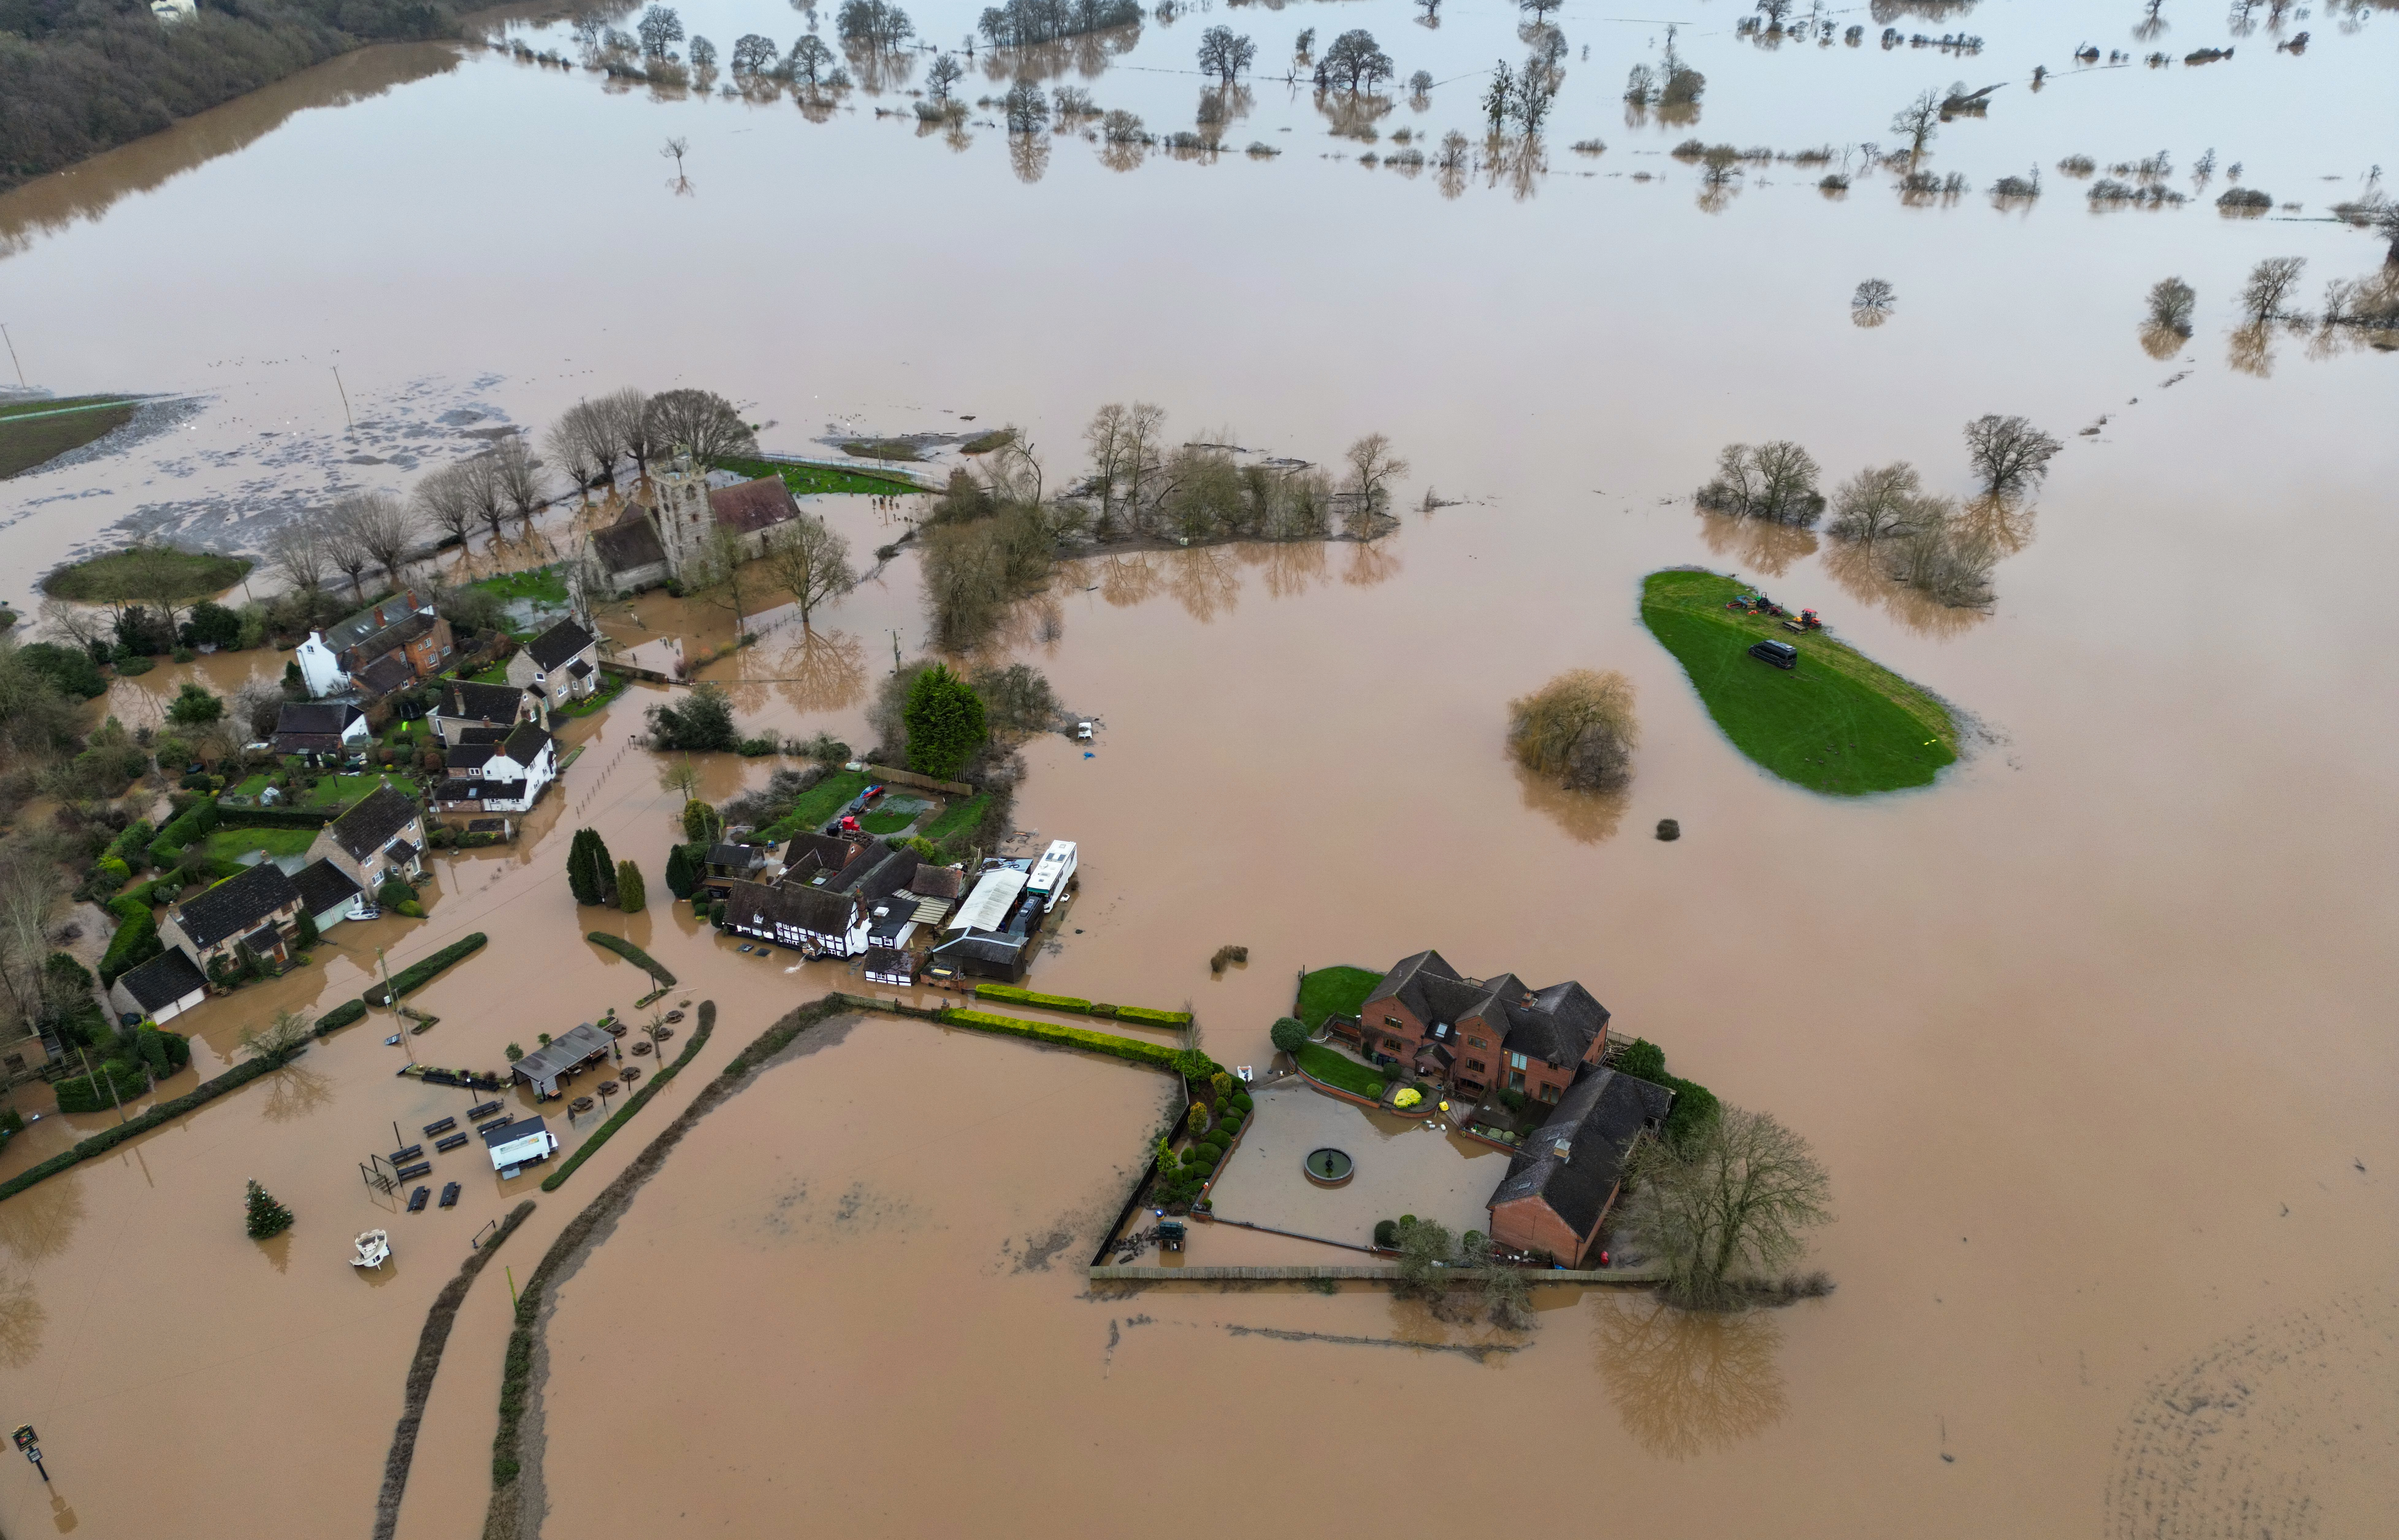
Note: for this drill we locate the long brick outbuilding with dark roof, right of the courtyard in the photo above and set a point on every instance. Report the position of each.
(1568, 1177)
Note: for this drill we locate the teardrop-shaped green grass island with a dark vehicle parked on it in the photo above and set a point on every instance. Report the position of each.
(1839, 723)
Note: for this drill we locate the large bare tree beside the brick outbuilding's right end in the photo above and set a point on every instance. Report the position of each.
(1728, 1208)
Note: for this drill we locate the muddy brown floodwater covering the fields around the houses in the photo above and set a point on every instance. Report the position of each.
(2093, 1035)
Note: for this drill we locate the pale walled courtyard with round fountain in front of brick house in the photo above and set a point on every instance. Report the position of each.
(1402, 1169)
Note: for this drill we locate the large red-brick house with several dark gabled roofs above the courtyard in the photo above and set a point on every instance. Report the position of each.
(1481, 1035)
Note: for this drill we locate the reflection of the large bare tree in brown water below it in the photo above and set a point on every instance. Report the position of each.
(1688, 1383)
